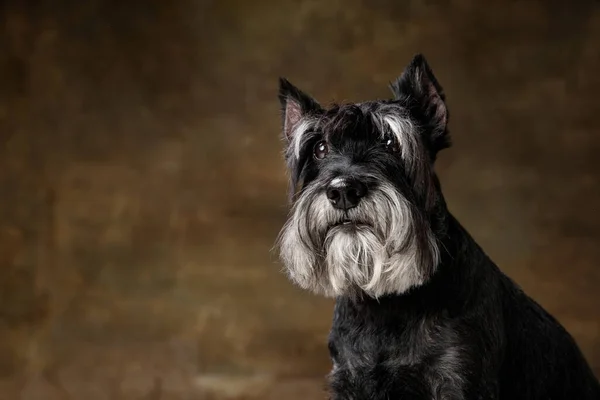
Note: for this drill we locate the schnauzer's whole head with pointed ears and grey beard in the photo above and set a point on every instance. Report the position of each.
(365, 199)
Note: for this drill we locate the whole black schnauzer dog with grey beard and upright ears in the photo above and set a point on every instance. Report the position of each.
(420, 312)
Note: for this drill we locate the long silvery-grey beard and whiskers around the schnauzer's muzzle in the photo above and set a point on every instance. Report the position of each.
(384, 246)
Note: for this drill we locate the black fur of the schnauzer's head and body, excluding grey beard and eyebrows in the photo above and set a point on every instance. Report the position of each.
(468, 332)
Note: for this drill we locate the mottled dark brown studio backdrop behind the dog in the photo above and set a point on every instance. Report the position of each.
(142, 186)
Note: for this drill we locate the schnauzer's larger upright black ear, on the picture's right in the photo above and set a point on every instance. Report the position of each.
(417, 83)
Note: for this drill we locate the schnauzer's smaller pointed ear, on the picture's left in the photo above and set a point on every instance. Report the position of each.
(294, 106)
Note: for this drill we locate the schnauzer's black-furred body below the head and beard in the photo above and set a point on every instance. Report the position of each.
(470, 333)
